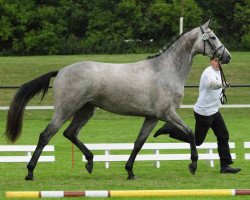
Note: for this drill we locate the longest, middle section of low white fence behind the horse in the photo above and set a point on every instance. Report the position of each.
(156, 156)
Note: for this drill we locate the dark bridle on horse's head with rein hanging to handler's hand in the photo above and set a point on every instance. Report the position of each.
(205, 38)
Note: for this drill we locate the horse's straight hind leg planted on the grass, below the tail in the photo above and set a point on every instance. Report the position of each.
(44, 139)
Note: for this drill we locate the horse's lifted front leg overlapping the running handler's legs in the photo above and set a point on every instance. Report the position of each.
(174, 119)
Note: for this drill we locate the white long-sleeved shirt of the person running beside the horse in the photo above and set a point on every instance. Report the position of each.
(210, 88)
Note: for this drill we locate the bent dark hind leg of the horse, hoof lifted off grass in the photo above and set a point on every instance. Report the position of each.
(79, 120)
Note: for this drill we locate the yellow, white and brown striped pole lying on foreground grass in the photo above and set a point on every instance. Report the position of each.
(127, 193)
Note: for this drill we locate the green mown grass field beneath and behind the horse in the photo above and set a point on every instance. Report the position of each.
(106, 127)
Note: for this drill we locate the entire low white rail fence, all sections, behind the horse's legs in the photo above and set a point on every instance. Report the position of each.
(113, 152)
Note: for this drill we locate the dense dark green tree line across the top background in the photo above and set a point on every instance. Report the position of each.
(44, 27)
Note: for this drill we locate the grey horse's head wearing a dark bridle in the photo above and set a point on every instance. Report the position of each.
(210, 45)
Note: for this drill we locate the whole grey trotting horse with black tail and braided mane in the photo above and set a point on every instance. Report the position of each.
(151, 88)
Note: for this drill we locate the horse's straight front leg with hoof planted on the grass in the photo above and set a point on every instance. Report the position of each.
(147, 127)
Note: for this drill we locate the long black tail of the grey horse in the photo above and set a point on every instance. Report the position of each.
(26, 92)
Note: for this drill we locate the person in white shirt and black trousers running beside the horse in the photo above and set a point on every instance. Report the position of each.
(207, 115)
